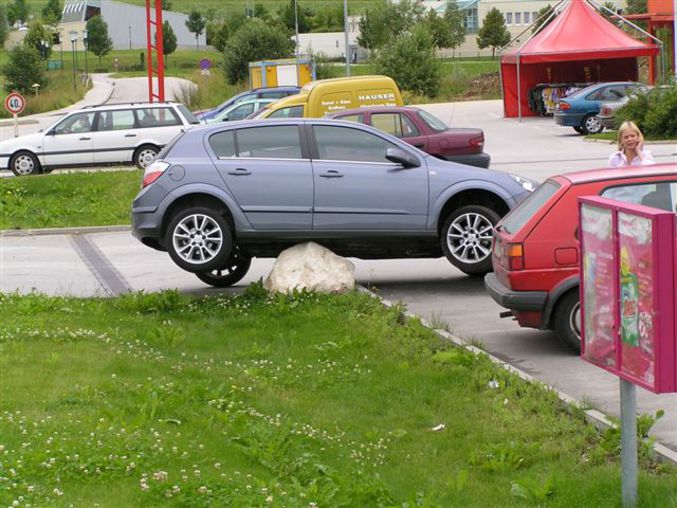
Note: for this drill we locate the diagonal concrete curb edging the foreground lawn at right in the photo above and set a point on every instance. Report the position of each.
(596, 418)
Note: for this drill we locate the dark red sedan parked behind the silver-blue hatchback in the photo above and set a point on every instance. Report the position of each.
(425, 131)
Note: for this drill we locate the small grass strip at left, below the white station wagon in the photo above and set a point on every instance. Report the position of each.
(74, 199)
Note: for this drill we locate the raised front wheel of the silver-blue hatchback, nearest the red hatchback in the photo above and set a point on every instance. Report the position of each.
(466, 238)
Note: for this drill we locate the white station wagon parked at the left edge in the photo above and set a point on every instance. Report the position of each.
(131, 133)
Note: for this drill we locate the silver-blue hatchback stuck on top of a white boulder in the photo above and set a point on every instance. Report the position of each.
(217, 196)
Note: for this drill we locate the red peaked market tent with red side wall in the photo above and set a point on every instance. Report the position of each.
(579, 45)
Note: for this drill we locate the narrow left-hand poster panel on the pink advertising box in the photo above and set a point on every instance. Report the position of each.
(599, 296)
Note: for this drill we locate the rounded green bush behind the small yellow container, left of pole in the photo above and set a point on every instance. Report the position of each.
(254, 40)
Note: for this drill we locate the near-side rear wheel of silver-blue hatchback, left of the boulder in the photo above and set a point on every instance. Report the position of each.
(199, 240)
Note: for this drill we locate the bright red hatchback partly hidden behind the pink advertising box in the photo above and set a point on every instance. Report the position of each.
(535, 253)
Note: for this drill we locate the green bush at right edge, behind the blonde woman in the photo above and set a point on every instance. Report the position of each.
(655, 113)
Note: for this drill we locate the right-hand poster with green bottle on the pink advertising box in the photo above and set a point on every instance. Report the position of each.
(637, 309)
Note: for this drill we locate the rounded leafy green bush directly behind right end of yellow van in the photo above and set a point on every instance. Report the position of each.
(411, 59)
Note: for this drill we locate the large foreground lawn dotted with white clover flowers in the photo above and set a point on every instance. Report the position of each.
(302, 400)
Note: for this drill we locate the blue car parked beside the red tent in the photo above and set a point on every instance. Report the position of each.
(580, 109)
